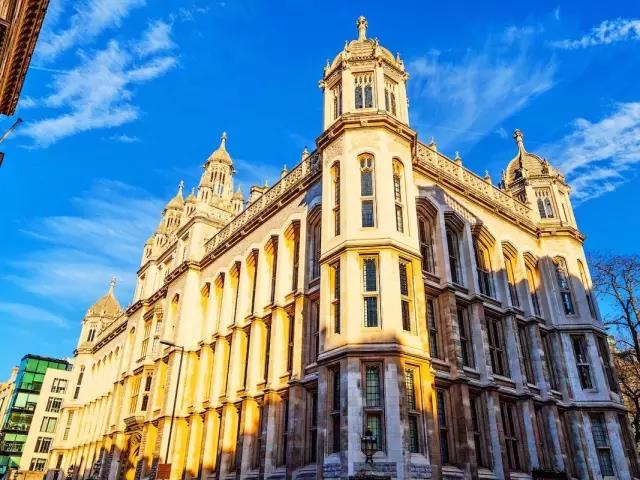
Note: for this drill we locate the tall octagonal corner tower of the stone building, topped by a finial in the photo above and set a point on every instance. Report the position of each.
(373, 353)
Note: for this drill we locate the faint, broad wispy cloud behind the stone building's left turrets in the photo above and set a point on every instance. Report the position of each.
(77, 254)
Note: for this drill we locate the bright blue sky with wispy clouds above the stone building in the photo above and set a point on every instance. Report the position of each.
(124, 98)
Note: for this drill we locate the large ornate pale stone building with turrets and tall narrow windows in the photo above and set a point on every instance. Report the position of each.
(470, 344)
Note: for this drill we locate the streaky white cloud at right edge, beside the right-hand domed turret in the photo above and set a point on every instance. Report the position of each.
(597, 157)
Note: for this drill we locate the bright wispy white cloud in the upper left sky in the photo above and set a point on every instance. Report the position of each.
(98, 93)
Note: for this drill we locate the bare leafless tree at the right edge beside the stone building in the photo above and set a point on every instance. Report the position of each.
(616, 280)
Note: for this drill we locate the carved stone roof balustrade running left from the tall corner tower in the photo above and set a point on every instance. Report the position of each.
(305, 169)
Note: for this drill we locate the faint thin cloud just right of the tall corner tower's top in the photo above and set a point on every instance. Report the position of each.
(462, 100)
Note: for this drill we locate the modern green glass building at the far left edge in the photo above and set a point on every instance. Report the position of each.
(14, 426)
